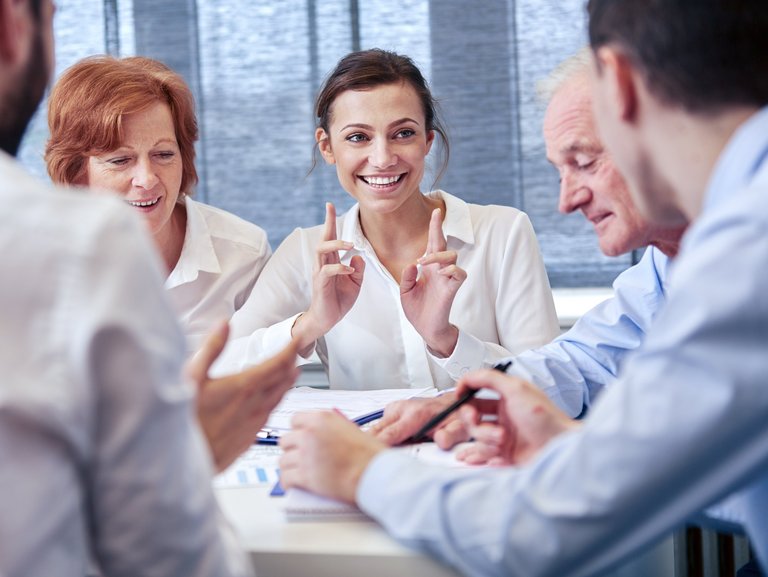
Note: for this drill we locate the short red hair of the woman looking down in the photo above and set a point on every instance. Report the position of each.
(87, 105)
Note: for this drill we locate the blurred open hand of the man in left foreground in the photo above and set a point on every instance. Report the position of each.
(232, 409)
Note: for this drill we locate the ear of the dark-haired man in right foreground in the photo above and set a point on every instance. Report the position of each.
(620, 78)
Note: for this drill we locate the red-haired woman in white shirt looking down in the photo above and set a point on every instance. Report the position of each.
(128, 126)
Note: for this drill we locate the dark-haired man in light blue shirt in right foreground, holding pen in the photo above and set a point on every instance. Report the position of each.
(681, 99)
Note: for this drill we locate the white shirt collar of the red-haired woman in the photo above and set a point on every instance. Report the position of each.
(197, 253)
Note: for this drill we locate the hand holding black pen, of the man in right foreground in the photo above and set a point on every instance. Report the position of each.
(526, 420)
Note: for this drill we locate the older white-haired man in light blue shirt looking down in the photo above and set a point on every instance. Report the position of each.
(576, 366)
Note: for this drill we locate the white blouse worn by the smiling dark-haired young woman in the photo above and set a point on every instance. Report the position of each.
(503, 308)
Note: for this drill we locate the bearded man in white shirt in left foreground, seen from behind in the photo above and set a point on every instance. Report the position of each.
(103, 458)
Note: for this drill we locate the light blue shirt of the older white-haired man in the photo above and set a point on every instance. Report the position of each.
(577, 365)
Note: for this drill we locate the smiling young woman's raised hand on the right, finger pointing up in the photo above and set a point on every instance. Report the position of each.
(427, 297)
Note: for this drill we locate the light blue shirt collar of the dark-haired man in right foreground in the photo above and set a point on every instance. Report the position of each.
(740, 160)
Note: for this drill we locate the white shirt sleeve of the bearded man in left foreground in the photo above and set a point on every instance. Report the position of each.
(149, 492)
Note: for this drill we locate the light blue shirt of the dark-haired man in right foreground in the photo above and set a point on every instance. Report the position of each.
(685, 425)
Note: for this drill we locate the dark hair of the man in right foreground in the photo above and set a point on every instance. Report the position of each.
(698, 54)
